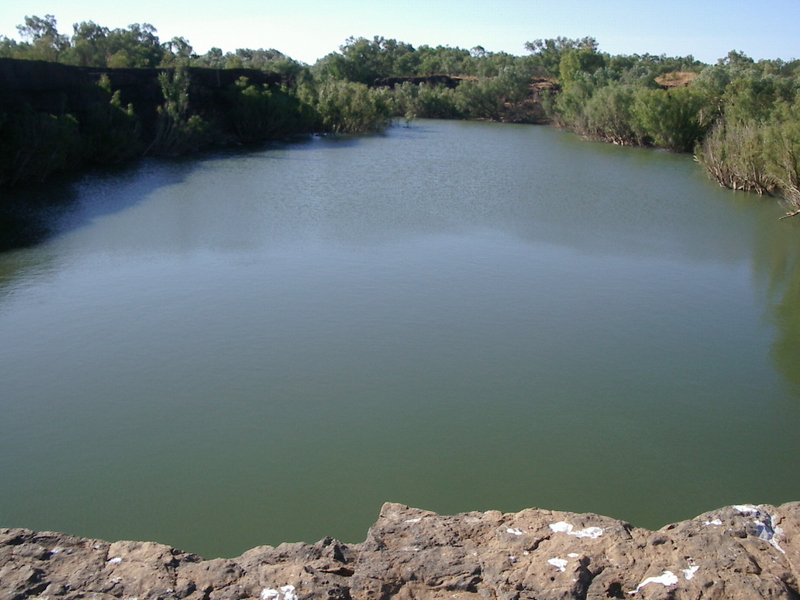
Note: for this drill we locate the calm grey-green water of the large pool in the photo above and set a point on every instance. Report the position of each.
(259, 347)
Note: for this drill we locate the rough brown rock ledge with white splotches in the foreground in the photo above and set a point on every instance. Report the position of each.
(734, 552)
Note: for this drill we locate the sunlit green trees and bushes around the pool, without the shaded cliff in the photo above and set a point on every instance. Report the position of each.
(738, 116)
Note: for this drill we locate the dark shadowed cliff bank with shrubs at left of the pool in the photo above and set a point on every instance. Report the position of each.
(56, 117)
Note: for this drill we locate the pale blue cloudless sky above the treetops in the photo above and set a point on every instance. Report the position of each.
(309, 29)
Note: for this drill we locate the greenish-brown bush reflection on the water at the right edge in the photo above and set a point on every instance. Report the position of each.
(776, 261)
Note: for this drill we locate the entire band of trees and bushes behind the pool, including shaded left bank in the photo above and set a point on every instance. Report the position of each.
(107, 95)
